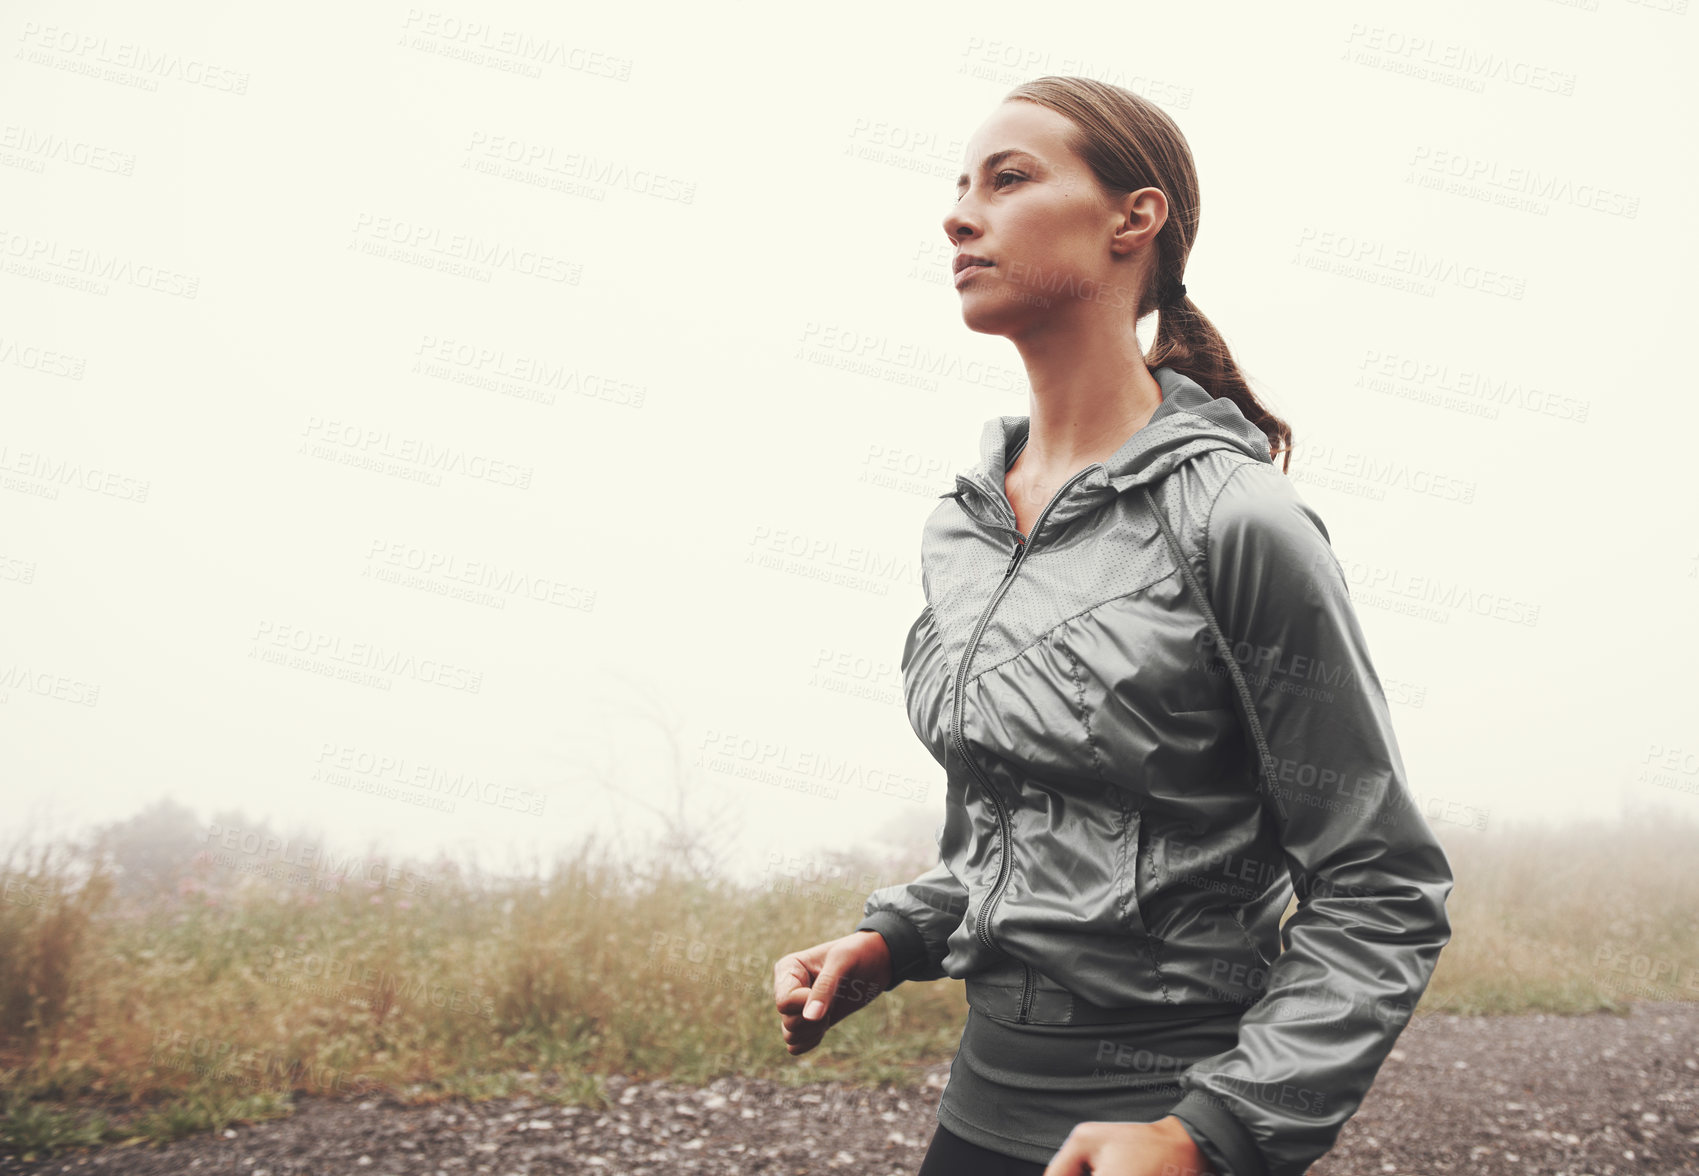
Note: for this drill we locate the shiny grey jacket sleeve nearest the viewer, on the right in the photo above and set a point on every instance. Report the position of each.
(1370, 876)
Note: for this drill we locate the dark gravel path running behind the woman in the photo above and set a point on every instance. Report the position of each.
(1482, 1097)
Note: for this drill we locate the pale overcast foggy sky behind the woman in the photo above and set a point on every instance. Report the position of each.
(463, 426)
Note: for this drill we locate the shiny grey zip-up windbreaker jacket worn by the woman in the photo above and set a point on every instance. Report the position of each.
(1146, 755)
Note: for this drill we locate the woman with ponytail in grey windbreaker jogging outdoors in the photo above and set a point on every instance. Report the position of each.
(1158, 718)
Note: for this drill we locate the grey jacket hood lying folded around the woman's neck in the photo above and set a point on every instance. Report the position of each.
(1187, 424)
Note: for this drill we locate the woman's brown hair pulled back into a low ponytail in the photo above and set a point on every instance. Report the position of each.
(1132, 144)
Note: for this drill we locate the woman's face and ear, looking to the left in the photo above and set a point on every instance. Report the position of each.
(1056, 244)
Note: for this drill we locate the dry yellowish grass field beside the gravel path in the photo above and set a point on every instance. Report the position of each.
(218, 997)
